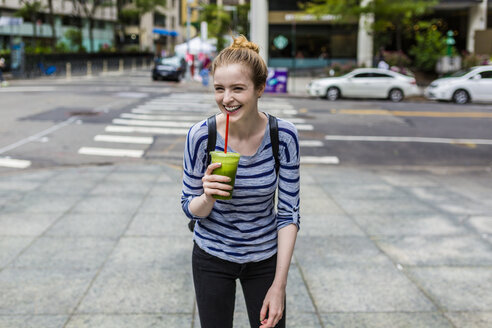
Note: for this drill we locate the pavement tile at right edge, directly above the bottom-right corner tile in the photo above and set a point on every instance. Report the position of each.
(457, 288)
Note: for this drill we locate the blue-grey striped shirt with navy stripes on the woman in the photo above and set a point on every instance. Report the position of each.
(244, 229)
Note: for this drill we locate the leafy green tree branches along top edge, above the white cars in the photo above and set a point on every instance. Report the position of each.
(395, 16)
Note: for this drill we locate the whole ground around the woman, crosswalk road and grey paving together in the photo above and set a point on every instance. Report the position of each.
(395, 208)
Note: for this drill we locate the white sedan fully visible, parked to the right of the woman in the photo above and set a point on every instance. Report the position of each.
(365, 83)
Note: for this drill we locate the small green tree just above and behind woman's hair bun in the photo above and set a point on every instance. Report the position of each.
(219, 22)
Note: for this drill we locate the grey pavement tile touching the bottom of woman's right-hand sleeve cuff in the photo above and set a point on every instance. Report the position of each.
(328, 225)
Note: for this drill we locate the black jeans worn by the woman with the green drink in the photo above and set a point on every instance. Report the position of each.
(215, 288)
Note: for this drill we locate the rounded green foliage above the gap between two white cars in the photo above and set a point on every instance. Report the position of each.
(430, 45)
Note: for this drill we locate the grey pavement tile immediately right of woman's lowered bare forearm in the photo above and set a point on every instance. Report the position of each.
(337, 251)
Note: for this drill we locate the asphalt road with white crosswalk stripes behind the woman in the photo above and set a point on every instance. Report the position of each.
(129, 118)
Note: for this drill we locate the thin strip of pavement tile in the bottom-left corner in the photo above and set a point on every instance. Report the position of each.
(32, 321)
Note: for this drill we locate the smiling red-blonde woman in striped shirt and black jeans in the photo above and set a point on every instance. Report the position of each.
(244, 238)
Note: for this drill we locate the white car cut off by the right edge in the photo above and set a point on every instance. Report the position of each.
(473, 84)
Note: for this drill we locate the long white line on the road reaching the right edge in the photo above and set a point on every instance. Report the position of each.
(410, 139)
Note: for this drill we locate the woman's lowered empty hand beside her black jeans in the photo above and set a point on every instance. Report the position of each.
(273, 304)
